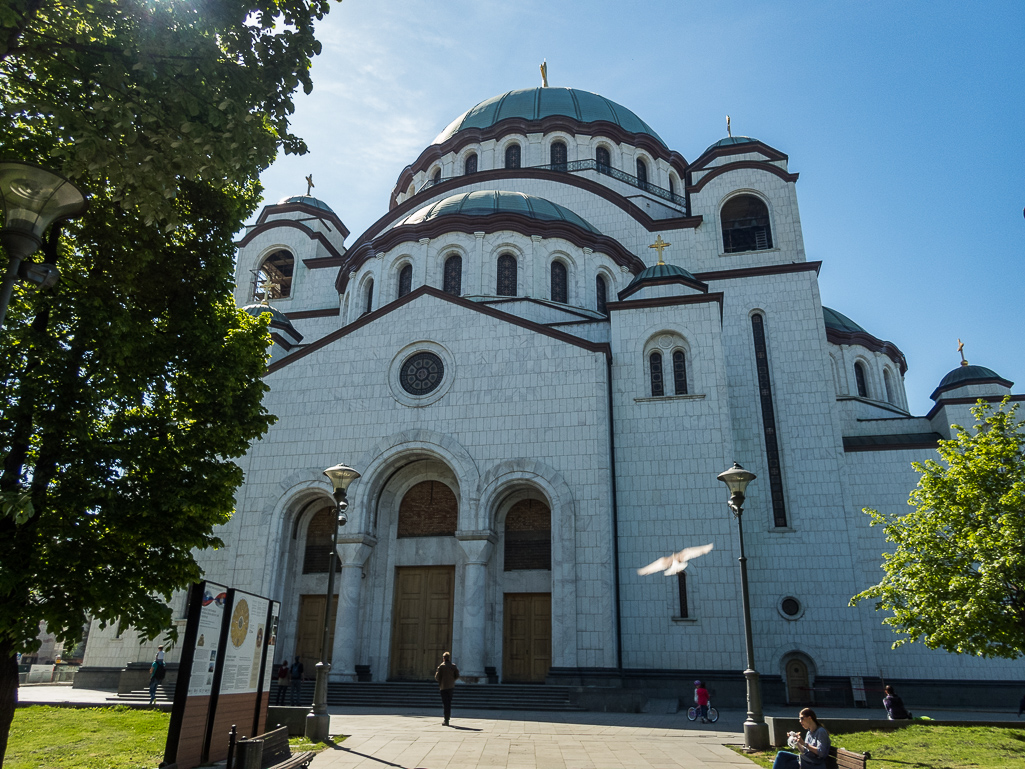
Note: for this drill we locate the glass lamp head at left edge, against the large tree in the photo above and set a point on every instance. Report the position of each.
(33, 198)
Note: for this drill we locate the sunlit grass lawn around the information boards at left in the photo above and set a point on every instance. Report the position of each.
(96, 739)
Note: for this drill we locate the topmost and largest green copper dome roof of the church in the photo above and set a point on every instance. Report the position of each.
(536, 104)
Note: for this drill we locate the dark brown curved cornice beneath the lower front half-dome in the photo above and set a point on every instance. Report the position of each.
(490, 224)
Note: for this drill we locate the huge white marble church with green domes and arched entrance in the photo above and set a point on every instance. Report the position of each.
(540, 358)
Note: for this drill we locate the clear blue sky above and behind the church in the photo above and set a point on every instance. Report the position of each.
(905, 119)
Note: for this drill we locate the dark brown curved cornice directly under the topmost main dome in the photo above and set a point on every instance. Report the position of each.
(552, 125)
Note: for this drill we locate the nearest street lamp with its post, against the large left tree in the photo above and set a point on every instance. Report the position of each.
(33, 198)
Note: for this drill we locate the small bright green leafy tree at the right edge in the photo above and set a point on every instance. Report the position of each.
(957, 578)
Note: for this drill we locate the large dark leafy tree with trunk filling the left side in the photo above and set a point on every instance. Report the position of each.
(128, 390)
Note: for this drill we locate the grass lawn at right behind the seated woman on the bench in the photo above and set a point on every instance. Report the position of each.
(923, 747)
